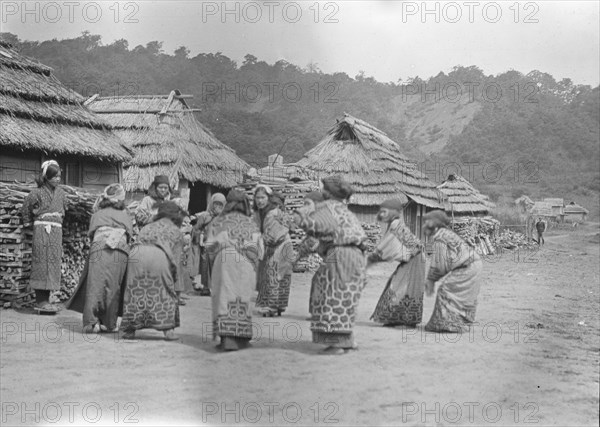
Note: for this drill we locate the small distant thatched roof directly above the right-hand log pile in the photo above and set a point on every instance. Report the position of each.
(463, 198)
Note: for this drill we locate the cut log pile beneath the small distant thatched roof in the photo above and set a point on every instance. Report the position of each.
(481, 233)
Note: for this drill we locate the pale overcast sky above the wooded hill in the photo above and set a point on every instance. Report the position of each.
(387, 40)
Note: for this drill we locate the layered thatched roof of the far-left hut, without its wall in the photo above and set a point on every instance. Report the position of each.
(38, 113)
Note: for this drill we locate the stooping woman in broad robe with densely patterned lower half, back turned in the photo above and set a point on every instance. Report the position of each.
(149, 299)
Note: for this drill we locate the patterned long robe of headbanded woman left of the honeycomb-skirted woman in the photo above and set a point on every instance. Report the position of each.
(275, 269)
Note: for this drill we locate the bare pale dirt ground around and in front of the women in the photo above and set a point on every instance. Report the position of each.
(533, 358)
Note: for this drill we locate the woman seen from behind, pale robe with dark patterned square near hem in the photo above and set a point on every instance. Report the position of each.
(233, 248)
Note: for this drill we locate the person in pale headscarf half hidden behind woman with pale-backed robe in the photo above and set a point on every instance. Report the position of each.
(199, 232)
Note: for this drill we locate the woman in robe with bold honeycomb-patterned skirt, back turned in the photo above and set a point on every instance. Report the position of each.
(339, 281)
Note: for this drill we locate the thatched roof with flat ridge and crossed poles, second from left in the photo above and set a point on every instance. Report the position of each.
(168, 140)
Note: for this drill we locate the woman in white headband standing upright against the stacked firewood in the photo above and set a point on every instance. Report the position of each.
(45, 208)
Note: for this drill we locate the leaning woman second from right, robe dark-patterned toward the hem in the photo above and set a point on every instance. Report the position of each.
(401, 302)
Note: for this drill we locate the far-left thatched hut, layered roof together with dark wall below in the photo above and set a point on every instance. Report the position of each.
(40, 119)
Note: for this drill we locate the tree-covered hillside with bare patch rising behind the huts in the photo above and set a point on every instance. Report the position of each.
(542, 135)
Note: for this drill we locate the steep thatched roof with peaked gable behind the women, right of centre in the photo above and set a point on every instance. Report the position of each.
(372, 163)
